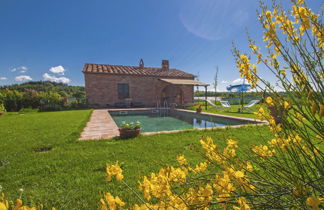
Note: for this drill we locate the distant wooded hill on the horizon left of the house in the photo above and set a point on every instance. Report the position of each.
(46, 86)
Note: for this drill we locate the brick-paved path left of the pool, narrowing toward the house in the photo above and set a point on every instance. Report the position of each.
(100, 126)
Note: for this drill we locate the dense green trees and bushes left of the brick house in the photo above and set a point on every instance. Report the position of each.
(47, 96)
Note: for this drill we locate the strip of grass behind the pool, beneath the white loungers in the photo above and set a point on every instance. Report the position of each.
(231, 112)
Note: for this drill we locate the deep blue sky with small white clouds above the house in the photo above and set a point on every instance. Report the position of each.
(52, 40)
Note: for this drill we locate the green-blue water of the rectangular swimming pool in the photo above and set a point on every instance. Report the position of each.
(168, 120)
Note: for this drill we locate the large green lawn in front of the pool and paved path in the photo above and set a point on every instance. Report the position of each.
(72, 174)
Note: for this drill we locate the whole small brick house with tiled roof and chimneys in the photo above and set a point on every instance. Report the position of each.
(112, 85)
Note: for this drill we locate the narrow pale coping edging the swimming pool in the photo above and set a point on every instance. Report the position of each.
(255, 122)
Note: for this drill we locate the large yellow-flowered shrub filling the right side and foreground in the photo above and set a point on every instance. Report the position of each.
(283, 172)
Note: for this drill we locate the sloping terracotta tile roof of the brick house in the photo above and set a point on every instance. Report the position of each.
(135, 71)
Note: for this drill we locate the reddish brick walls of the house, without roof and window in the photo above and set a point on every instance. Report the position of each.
(101, 90)
